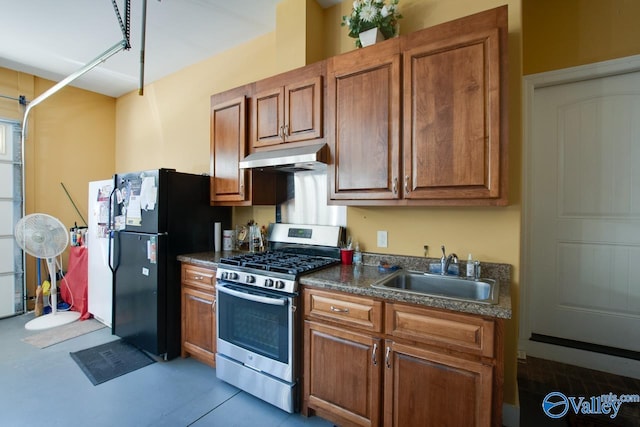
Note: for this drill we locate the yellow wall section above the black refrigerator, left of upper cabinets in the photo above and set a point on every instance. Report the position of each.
(169, 125)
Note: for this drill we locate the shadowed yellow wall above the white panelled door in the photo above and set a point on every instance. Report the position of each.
(561, 34)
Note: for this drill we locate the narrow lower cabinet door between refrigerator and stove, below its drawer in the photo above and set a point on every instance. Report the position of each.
(198, 325)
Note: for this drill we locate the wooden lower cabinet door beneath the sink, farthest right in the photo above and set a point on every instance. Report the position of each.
(424, 388)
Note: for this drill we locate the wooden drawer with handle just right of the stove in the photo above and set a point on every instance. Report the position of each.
(361, 312)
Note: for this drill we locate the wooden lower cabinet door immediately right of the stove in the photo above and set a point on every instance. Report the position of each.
(342, 375)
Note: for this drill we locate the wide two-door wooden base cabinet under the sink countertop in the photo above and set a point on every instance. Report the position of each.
(425, 367)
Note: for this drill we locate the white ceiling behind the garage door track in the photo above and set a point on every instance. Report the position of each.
(54, 38)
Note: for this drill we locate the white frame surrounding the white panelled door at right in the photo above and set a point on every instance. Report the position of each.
(601, 362)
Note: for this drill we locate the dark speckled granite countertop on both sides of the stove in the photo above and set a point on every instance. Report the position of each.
(358, 280)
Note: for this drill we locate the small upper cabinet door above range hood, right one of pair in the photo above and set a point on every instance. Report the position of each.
(303, 110)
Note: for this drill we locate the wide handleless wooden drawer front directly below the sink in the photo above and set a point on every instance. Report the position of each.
(460, 332)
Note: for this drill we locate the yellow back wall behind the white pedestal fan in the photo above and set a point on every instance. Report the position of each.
(70, 141)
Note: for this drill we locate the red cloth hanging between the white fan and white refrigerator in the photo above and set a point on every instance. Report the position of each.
(77, 279)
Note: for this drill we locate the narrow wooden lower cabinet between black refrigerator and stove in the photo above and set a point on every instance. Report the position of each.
(198, 314)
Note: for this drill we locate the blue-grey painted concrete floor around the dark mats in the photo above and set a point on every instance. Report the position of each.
(45, 387)
